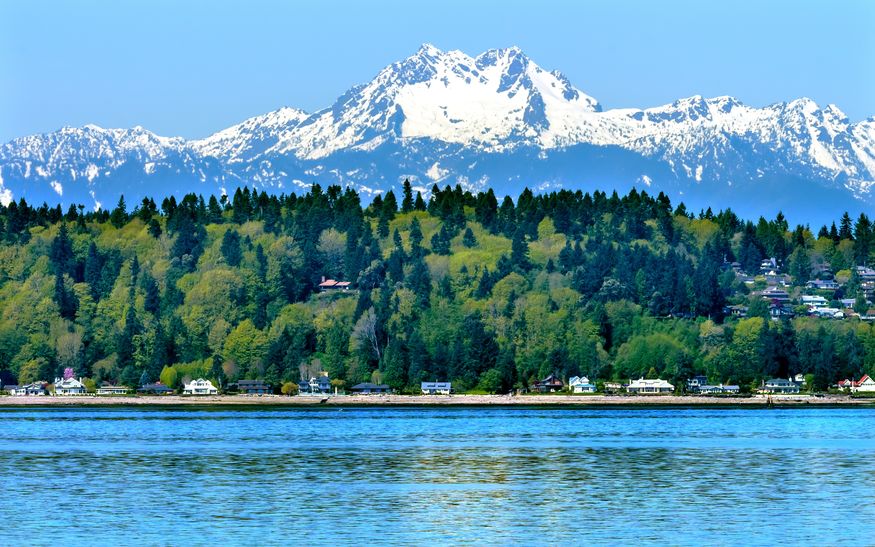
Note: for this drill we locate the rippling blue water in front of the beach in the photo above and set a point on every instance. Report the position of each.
(328, 476)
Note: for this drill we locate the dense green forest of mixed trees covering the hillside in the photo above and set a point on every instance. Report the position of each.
(489, 295)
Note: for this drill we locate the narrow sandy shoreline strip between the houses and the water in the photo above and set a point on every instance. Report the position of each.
(436, 400)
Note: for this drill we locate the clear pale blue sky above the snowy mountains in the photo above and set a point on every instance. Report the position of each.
(192, 67)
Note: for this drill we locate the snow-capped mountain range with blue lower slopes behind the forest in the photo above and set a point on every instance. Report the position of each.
(496, 120)
